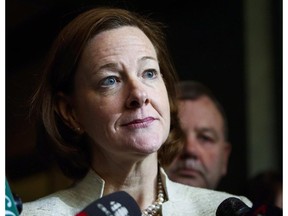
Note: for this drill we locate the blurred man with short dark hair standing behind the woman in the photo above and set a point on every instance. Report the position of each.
(204, 159)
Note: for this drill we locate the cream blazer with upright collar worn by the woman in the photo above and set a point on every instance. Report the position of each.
(183, 200)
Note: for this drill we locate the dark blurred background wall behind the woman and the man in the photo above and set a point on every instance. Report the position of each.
(234, 47)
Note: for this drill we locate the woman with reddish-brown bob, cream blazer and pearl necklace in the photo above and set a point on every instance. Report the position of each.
(107, 100)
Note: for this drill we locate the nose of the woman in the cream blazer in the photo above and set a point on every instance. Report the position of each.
(137, 95)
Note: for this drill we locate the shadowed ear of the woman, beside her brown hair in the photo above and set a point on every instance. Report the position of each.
(64, 108)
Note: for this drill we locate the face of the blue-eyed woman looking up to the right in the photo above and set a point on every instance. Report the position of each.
(120, 98)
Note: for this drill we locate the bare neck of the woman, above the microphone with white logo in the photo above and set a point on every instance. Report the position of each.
(139, 179)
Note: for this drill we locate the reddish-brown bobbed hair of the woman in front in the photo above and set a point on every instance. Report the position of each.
(58, 76)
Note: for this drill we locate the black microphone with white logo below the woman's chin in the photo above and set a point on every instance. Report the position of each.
(116, 204)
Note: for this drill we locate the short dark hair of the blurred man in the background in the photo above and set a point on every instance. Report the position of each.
(193, 90)
